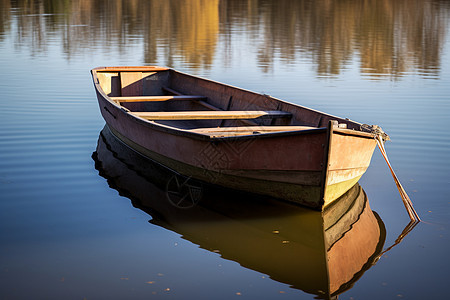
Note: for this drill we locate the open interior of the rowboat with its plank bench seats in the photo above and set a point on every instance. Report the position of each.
(165, 96)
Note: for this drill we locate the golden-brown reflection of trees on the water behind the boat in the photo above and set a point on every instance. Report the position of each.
(387, 37)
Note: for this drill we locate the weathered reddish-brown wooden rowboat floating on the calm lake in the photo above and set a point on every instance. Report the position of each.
(232, 137)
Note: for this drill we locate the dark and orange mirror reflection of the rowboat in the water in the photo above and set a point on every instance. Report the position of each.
(322, 253)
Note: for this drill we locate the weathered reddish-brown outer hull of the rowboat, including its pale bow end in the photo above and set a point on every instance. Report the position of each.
(309, 167)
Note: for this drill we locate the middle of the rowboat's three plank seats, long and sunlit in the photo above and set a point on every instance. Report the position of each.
(204, 115)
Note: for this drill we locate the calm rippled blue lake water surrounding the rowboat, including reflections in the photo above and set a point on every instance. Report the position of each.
(80, 220)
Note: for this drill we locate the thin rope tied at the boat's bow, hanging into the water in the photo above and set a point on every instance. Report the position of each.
(380, 137)
